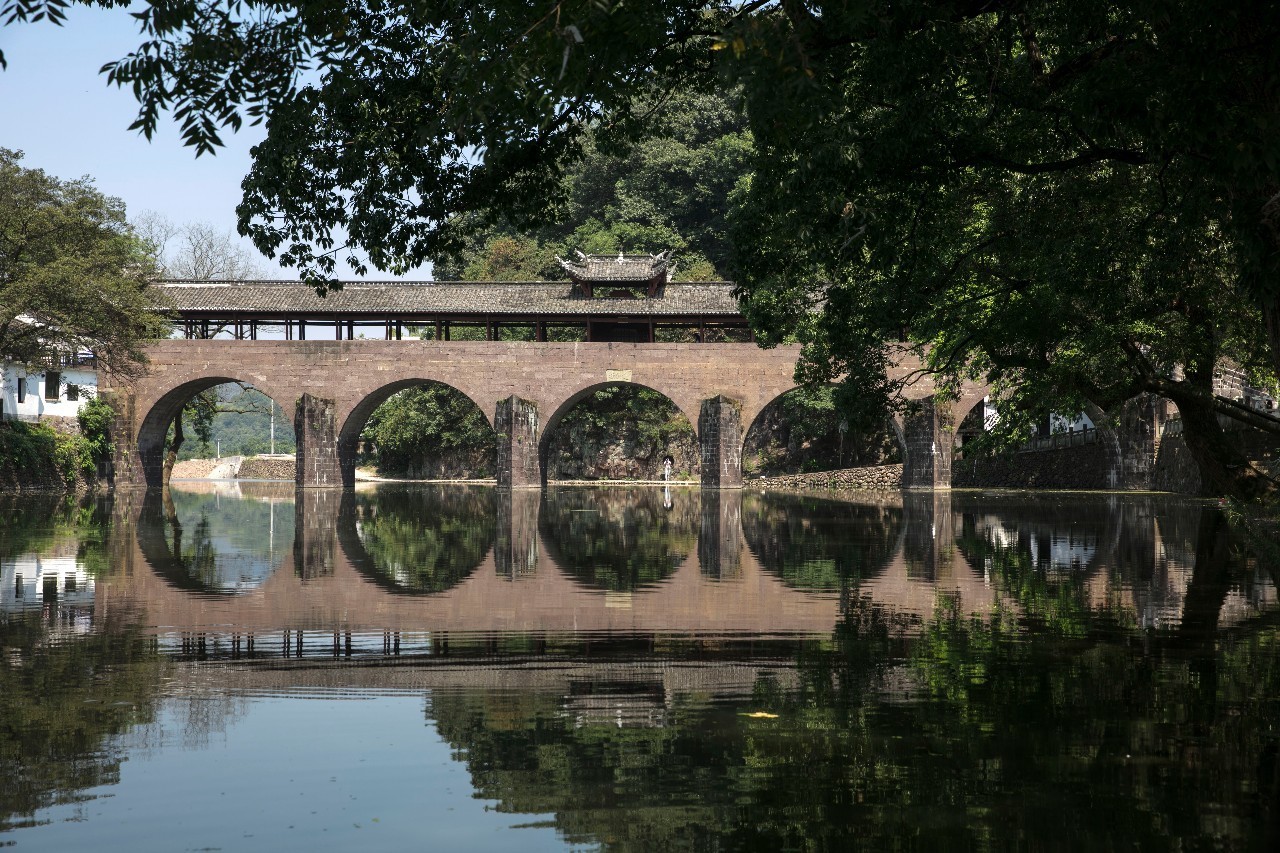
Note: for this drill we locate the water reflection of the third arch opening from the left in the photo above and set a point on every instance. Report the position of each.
(620, 540)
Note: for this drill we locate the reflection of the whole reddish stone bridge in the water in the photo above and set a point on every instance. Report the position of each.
(324, 573)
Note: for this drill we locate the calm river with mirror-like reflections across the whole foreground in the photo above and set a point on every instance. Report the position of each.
(237, 668)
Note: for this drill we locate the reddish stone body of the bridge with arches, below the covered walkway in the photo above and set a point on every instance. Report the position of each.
(523, 387)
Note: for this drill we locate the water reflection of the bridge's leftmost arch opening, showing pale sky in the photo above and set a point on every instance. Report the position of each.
(200, 542)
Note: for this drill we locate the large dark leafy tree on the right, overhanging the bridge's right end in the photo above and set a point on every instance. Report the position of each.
(1034, 194)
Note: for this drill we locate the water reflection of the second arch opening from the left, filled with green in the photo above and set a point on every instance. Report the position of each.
(418, 540)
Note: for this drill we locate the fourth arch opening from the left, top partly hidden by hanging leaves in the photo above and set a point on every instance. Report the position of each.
(806, 431)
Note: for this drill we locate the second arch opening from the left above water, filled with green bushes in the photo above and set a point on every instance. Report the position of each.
(419, 430)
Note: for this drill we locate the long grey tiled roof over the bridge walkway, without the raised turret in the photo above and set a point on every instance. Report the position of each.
(445, 298)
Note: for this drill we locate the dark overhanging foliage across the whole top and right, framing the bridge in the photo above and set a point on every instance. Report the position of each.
(1081, 199)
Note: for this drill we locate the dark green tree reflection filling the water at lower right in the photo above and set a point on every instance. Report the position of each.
(962, 733)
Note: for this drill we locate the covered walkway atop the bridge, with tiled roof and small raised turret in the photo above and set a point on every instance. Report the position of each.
(609, 299)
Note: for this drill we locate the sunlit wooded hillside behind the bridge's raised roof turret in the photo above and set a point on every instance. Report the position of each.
(669, 191)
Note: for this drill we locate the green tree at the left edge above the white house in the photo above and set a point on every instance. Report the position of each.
(74, 277)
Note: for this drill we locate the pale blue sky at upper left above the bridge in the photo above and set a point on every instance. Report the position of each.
(58, 111)
